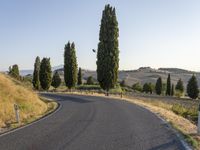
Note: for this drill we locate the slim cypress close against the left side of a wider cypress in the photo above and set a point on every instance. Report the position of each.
(36, 79)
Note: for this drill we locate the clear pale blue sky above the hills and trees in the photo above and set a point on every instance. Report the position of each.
(156, 33)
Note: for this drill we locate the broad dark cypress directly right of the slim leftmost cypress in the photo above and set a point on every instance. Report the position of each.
(45, 74)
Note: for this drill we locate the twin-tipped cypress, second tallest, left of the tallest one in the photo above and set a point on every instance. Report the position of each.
(70, 65)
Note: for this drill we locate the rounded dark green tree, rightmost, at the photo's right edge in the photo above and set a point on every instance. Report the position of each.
(192, 87)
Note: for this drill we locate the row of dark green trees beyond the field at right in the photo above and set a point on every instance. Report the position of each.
(169, 89)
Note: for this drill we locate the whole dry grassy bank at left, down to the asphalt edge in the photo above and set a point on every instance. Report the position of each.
(31, 106)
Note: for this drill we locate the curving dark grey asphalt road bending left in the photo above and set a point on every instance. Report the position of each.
(94, 123)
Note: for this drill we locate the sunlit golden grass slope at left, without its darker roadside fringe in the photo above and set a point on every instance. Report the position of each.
(11, 92)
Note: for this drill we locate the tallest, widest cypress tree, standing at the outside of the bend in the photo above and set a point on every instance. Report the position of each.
(108, 51)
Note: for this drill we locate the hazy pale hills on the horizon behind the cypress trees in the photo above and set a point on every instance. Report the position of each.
(142, 75)
